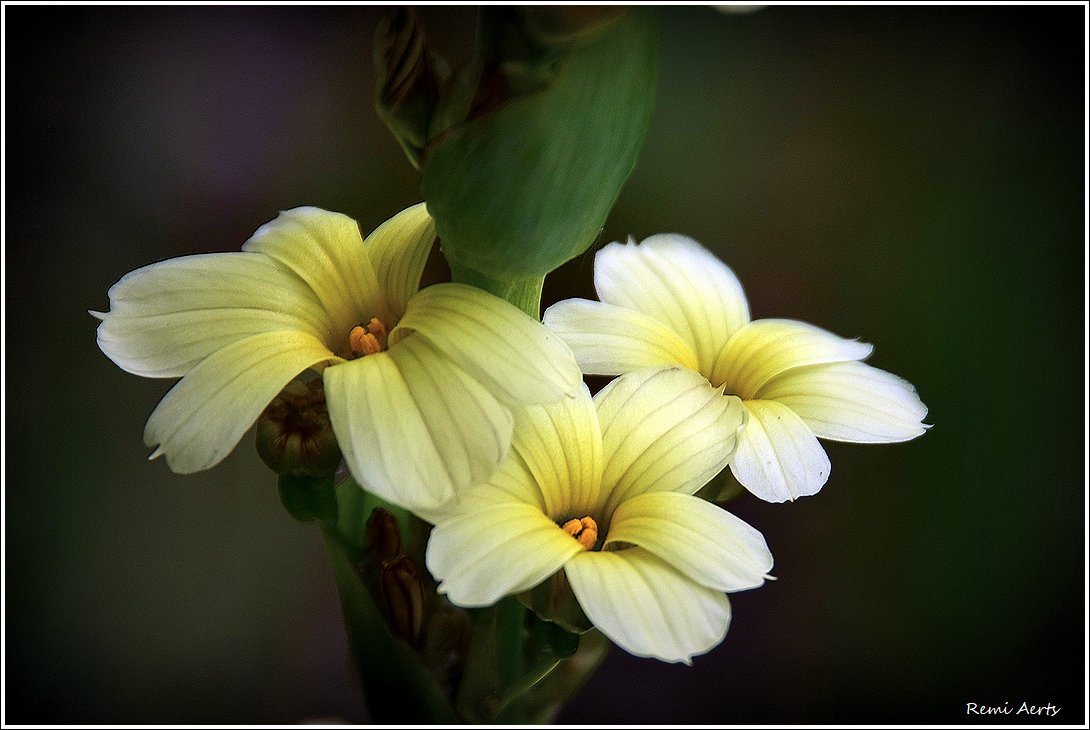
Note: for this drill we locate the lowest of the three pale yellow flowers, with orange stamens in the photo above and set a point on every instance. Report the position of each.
(603, 490)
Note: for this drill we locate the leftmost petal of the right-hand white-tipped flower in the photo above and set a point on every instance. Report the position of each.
(611, 340)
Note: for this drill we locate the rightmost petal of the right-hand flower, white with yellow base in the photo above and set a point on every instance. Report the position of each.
(851, 403)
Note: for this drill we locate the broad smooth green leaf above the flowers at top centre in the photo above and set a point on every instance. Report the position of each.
(527, 182)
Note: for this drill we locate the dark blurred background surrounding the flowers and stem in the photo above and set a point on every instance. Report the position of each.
(911, 176)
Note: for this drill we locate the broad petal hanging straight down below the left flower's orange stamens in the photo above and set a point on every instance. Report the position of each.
(414, 427)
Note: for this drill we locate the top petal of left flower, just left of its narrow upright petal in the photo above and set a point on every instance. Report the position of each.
(325, 250)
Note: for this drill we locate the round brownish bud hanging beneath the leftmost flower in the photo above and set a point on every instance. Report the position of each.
(295, 436)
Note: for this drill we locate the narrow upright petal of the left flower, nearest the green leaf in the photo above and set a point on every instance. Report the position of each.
(398, 251)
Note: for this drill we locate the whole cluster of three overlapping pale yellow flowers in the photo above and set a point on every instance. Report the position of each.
(457, 406)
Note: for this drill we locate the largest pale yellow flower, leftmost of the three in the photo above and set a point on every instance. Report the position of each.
(418, 383)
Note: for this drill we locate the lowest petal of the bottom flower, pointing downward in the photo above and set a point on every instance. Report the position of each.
(646, 607)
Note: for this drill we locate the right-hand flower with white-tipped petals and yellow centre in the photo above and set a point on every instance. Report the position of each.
(669, 301)
